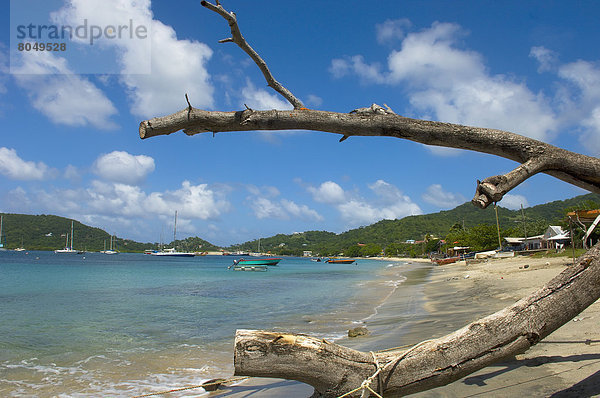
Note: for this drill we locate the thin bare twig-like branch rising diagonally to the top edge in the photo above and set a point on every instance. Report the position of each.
(237, 38)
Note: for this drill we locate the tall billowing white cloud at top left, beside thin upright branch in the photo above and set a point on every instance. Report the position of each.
(177, 66)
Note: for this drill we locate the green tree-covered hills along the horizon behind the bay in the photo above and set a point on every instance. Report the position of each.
(48, 232)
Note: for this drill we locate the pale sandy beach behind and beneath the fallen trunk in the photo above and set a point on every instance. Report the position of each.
(565, 364)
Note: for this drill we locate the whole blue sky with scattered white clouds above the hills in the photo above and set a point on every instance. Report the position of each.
(69, 138)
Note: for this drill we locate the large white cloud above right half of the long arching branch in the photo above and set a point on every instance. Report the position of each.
(453, 85)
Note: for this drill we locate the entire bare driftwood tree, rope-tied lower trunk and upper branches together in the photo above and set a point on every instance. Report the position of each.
(334, 370)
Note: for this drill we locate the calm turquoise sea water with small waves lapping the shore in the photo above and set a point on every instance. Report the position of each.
(92, 325)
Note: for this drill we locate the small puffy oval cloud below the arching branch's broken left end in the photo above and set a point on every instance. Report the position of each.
(123, 167)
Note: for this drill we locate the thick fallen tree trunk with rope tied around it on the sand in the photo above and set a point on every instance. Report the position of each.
(334, 370)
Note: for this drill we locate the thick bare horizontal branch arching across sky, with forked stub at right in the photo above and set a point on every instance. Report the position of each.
(534, 156)
